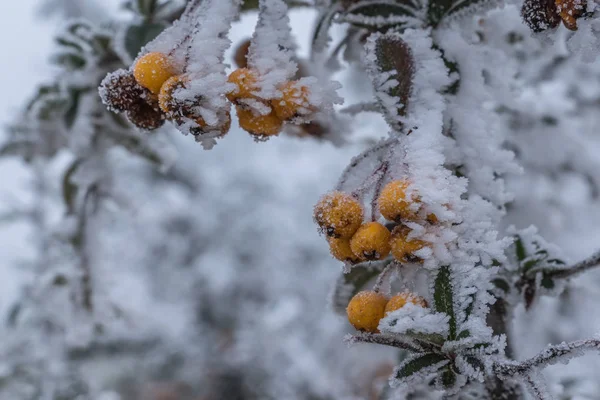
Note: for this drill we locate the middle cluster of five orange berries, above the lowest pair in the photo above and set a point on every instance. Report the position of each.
(341, 217)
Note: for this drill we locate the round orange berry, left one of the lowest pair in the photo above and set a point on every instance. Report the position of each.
(365, 310)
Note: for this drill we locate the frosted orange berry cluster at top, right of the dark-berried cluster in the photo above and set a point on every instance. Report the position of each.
(263, 117)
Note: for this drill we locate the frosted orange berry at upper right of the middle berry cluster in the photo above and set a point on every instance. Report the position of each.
(394, 204)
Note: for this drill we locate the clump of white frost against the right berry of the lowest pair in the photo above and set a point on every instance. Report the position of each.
(415, 319)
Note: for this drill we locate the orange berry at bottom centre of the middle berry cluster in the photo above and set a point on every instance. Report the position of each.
(371, 242)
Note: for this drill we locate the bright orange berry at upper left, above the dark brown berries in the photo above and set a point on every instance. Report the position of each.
(153, 69)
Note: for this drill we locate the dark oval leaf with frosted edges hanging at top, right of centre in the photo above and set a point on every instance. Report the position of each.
(393, 56)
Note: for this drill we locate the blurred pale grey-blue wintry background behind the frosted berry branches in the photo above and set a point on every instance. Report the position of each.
(202, 275)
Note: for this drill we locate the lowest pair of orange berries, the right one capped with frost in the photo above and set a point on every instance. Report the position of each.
(368, 307)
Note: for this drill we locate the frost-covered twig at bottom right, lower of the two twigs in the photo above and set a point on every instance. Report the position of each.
(550, 355)
